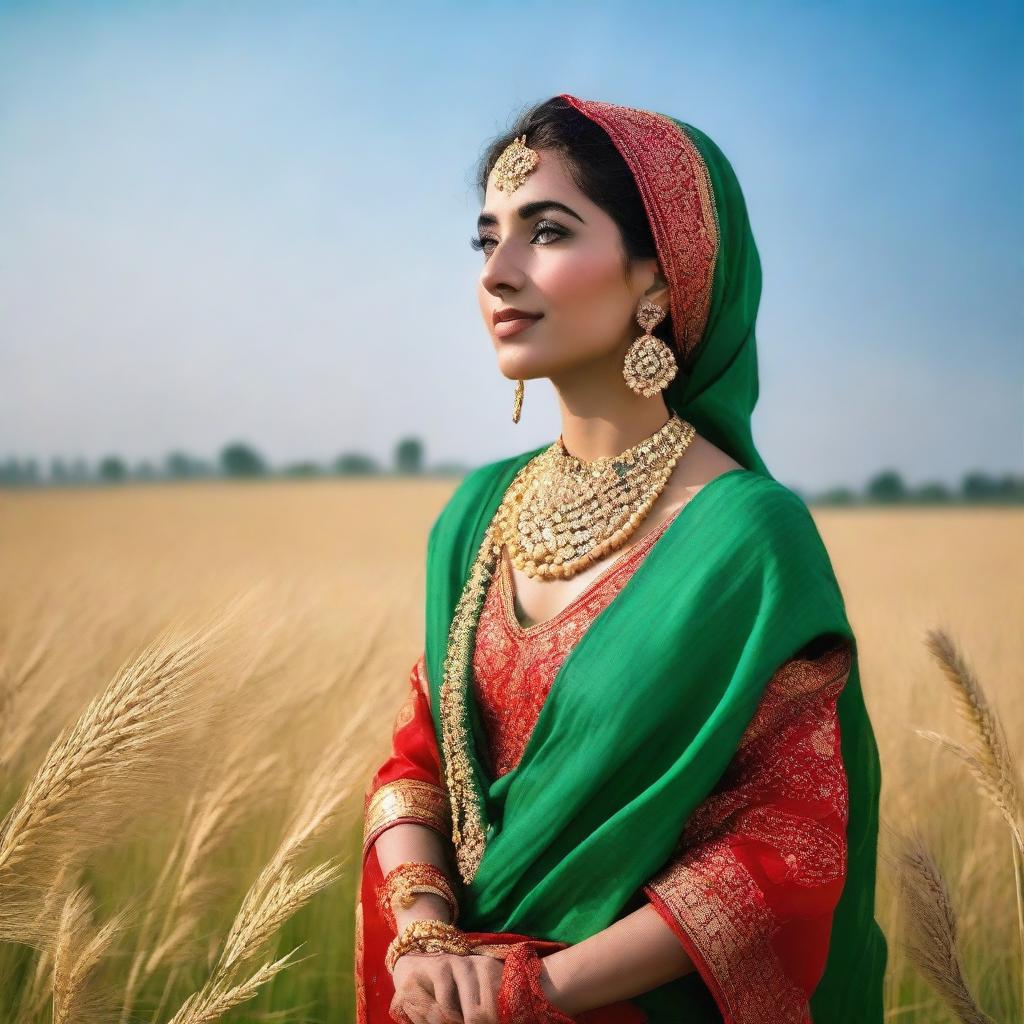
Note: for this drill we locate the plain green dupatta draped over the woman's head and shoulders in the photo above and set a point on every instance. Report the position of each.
(649, 709)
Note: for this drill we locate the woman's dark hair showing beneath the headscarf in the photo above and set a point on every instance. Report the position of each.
(596, 168)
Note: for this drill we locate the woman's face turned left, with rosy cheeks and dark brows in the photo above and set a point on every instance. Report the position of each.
(563, 263)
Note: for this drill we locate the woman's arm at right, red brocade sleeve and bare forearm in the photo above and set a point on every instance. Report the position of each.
(748, 899)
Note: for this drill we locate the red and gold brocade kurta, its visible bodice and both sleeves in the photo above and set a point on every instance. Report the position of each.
(761, 864)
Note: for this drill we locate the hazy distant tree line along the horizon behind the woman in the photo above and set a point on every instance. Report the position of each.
(241, 461)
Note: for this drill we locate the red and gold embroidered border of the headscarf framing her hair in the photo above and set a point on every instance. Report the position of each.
(676, 188)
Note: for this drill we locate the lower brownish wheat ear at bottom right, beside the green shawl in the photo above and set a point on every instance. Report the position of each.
(931, 927)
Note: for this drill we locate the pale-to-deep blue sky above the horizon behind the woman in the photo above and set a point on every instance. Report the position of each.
(250, 221)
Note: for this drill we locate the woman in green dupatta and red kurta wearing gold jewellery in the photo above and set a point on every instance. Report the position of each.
(634, 779)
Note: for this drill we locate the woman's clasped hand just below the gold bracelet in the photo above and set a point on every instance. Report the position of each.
(445, 989)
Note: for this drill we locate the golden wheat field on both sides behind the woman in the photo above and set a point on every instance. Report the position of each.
(211, 865)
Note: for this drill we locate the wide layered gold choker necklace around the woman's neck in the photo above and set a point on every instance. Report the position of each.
(561, 515)
